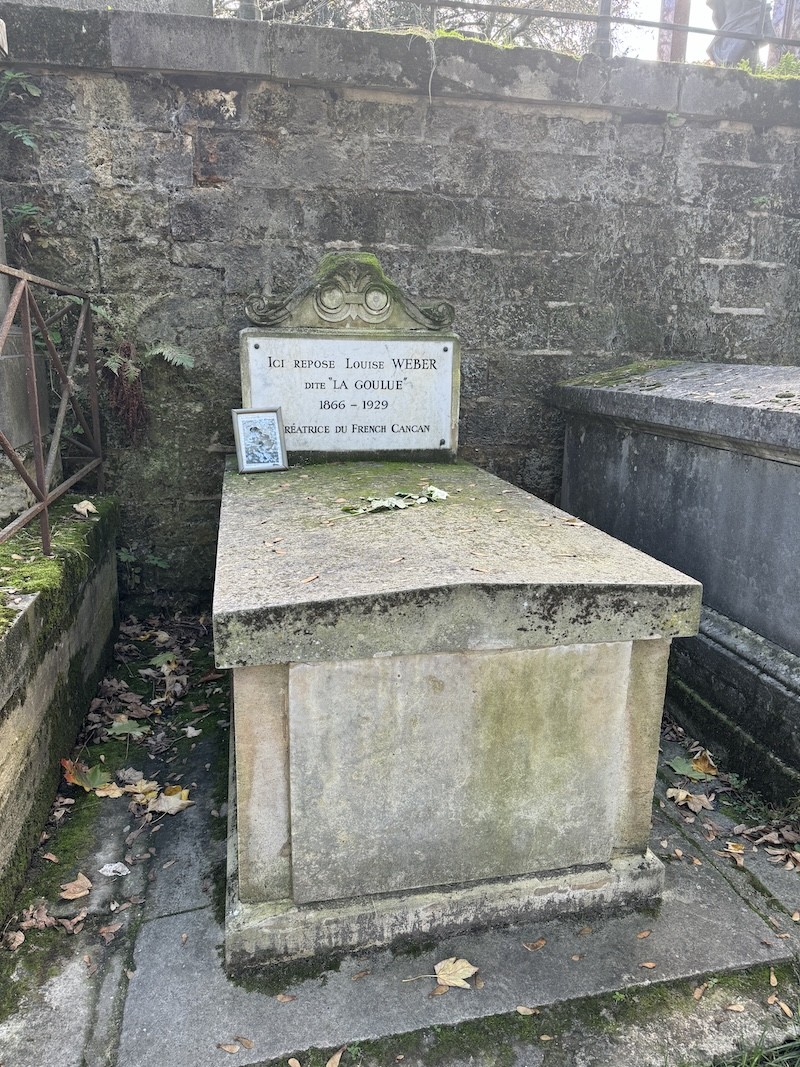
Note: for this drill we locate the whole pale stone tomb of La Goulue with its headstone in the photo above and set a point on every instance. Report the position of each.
(446, 716)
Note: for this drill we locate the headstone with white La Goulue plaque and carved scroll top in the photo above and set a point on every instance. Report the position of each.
(362, 371)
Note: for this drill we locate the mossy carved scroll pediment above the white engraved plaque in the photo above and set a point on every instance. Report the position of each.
(350, 289)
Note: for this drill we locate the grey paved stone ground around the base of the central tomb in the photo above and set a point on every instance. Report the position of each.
(606, 994)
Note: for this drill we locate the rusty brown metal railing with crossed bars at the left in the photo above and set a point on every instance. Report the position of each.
(24, 308)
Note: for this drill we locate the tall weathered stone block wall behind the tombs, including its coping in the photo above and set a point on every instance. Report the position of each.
(578, 214)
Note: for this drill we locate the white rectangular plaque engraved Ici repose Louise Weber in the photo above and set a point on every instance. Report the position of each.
(357, 391)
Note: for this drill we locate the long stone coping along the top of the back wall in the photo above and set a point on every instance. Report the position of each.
(445, 68)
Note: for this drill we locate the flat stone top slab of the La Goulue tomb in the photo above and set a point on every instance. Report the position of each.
(491, 567)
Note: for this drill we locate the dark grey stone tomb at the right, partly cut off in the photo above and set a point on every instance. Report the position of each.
(699, 466)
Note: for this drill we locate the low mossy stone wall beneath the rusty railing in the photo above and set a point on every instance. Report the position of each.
(55, 645)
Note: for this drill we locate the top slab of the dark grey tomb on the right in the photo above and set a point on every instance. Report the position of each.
(755, 406)
